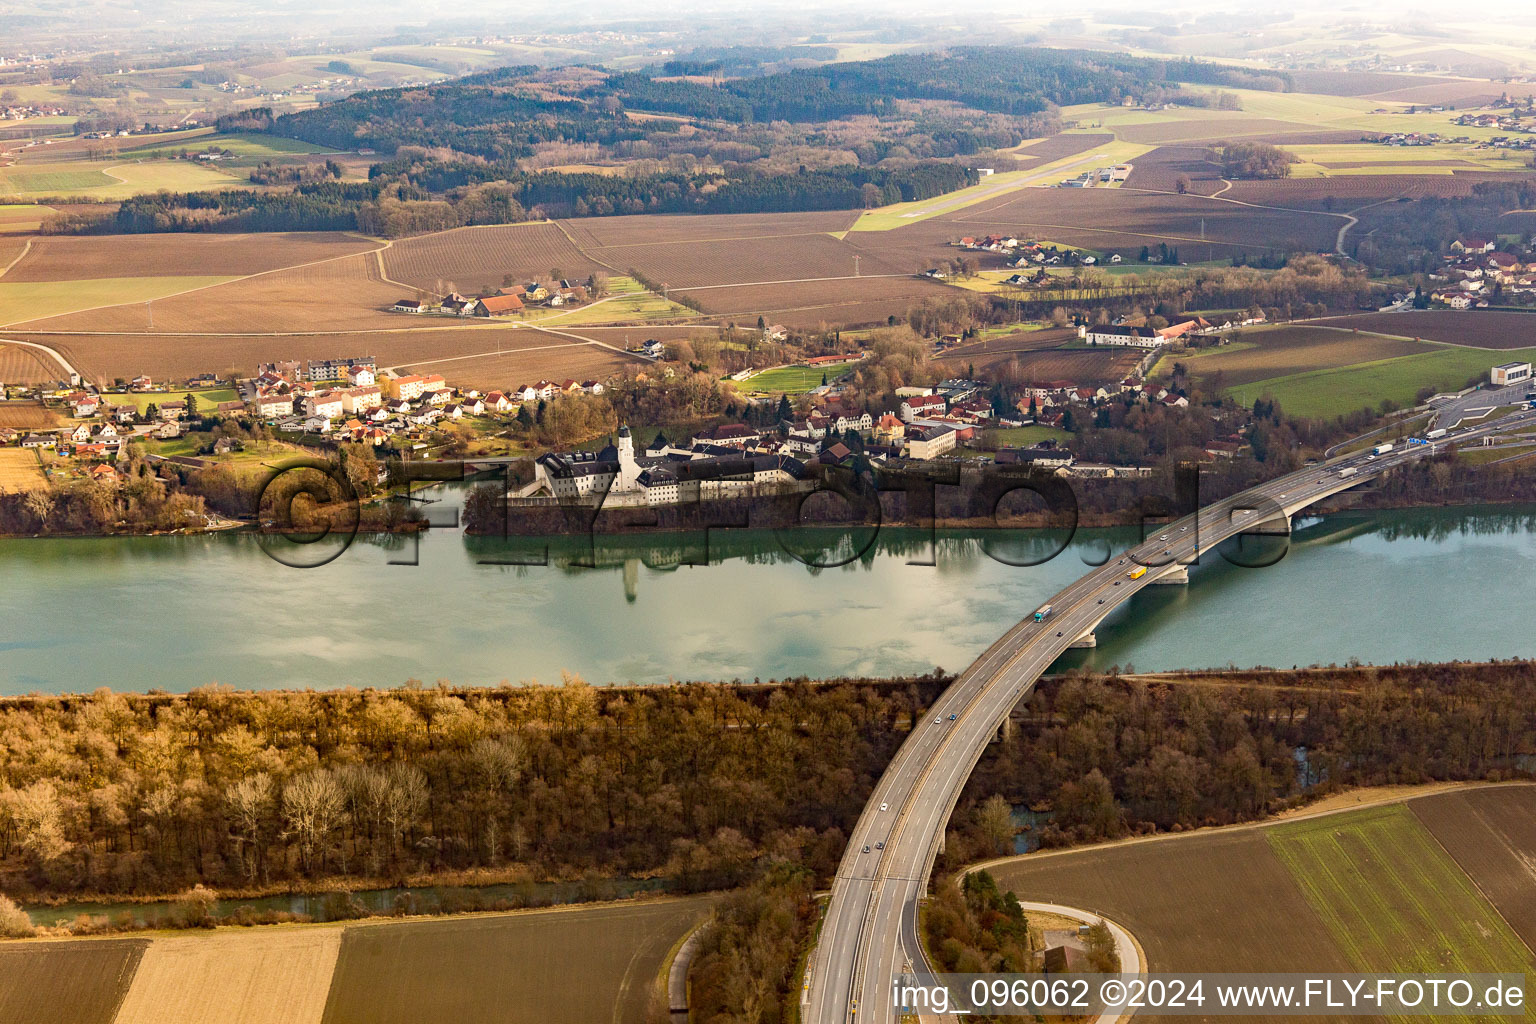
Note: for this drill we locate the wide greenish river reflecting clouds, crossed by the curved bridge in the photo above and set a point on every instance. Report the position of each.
(174, 613)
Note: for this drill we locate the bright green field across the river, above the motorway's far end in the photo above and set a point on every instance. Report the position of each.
(1328, 394)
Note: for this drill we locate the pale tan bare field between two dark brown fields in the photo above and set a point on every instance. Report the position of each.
(268, 976)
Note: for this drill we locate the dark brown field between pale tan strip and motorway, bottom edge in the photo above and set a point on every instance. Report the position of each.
(545, 966)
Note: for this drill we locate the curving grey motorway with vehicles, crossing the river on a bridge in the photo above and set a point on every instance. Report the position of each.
(870, 931)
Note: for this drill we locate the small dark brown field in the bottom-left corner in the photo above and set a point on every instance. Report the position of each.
(79, 982)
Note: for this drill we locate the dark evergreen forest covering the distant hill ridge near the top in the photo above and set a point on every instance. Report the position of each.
(506, 113)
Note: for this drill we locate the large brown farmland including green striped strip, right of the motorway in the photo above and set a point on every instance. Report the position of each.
(1365, 890)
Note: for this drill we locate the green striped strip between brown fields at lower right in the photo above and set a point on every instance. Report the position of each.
(1392, 899)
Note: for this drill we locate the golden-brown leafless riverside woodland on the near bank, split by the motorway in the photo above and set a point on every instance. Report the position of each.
(704, 785)
